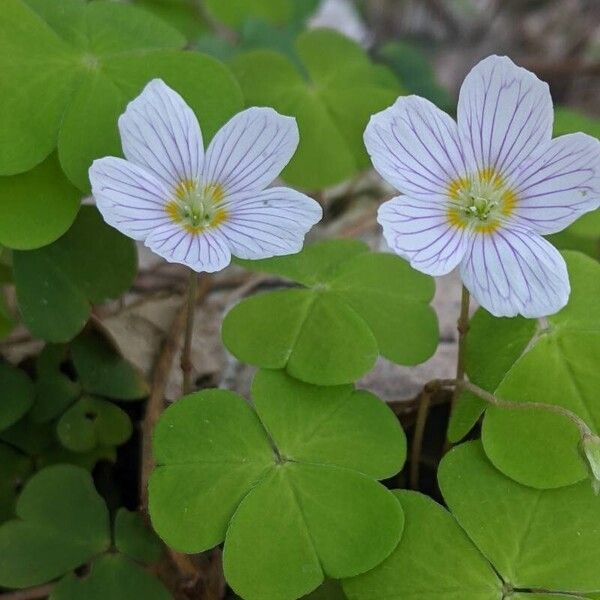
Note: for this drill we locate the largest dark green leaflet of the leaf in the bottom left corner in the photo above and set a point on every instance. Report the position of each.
(61, 523)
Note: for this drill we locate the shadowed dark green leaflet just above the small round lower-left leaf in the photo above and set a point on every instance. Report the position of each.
(103, 371)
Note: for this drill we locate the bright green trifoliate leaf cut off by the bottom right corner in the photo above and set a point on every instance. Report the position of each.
(500, 540)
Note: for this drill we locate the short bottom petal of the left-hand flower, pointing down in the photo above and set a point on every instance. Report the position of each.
(204, 252)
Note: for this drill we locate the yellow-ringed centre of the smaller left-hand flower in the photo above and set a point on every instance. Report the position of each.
(197, 207)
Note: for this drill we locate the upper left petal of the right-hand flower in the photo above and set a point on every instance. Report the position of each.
(414, 145)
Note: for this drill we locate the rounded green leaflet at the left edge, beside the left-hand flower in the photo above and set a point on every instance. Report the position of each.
(37, 206)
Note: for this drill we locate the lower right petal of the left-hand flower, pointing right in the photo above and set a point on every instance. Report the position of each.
(268, 223)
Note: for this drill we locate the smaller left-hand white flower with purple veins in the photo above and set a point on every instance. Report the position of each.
(195, 208)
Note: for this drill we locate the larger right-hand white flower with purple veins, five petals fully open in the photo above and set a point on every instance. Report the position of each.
(480, 193)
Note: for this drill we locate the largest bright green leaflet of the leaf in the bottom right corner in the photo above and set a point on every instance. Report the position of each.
(535, 539)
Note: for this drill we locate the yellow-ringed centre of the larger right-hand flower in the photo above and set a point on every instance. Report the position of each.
(480, 201)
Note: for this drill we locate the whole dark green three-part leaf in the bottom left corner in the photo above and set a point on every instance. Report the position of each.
(63, 523)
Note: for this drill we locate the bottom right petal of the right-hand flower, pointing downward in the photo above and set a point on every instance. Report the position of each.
(516, 271)
